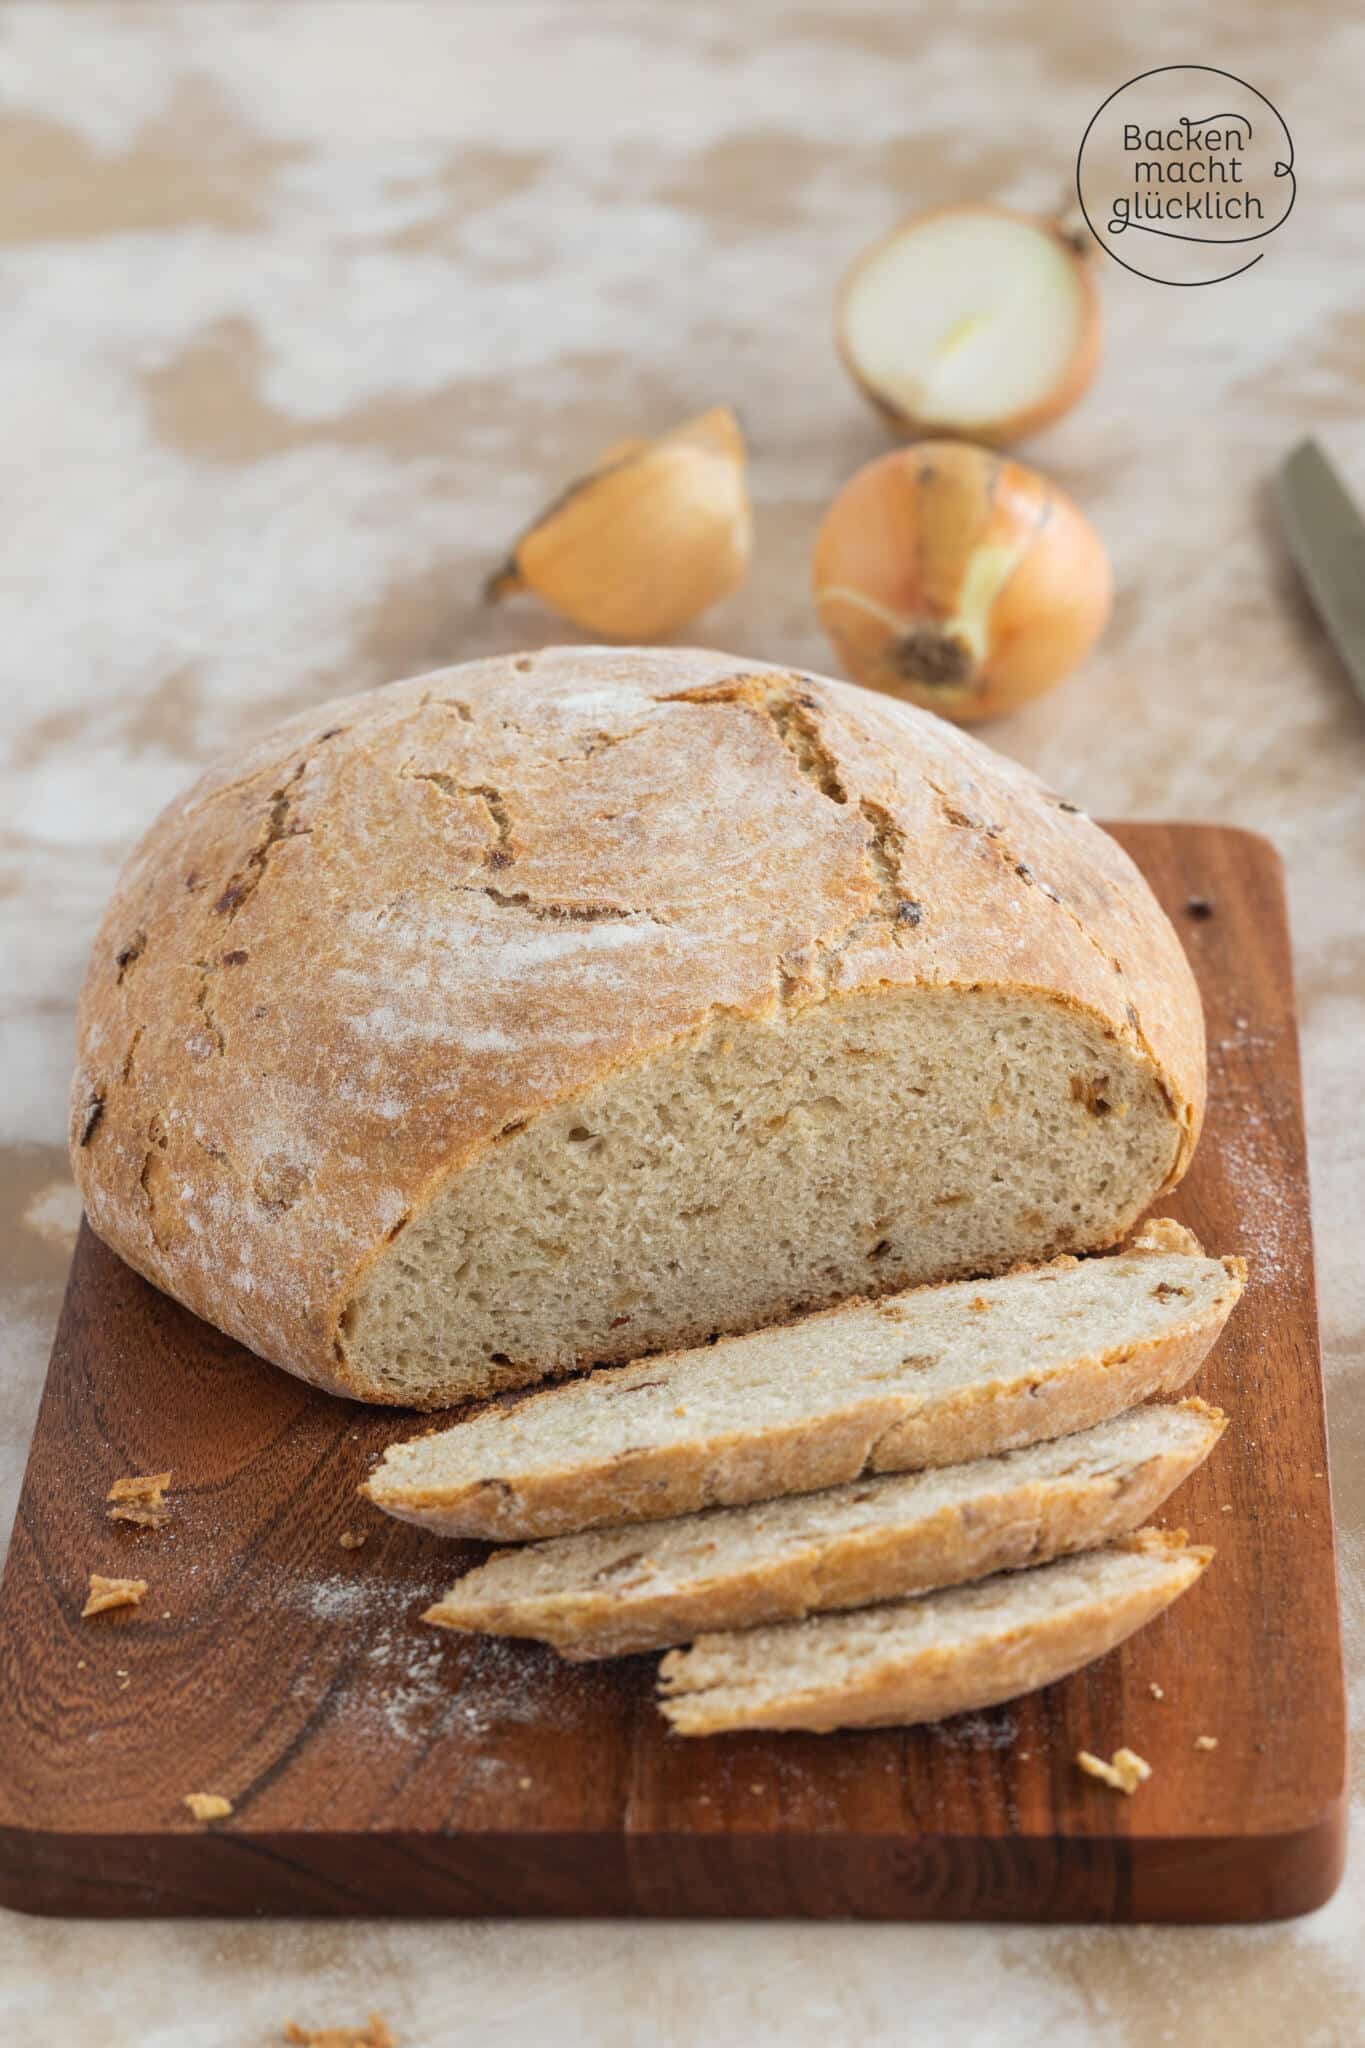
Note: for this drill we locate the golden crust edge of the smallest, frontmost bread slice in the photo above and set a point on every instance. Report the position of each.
(946, 1680)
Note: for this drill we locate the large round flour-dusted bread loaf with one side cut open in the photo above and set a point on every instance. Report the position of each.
(580, 1005)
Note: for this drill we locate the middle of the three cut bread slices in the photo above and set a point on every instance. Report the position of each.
(642, 1588)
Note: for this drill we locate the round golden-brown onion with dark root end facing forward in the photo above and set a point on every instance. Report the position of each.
(959, 581)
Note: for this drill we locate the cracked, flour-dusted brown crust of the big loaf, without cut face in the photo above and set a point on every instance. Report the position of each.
(345, 966)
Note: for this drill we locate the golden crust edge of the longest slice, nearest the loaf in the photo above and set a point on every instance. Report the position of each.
(879, 1435)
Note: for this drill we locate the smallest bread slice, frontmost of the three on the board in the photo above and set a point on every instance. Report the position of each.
(922, 1660)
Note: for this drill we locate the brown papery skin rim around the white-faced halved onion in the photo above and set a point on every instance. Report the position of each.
(996, 433)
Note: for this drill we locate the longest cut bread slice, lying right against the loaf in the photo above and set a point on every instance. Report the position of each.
(928, 1377)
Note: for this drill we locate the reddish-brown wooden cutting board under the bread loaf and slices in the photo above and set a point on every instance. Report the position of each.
(380, 1766)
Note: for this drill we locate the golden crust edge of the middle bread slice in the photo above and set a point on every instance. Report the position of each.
(1008, 1525)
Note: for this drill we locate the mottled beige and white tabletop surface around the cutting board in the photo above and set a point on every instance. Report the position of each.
(302, 312)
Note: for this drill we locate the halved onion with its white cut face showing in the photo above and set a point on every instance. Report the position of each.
(971, 323)
